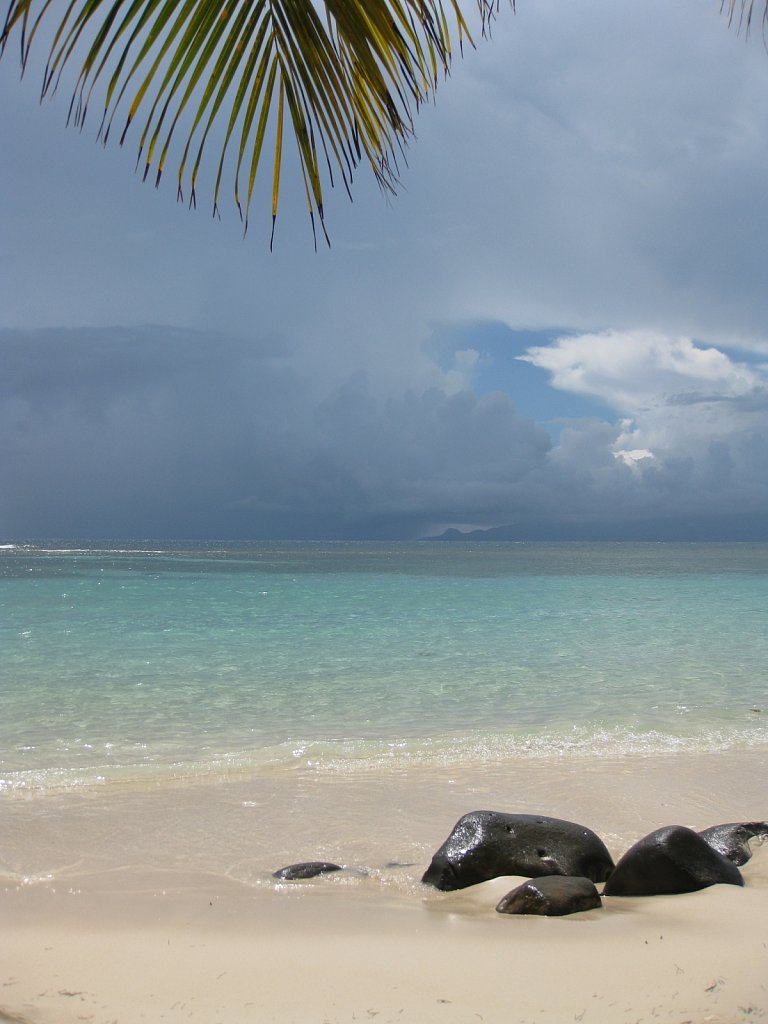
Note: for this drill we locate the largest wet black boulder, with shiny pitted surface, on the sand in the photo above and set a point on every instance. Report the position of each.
(487, 844)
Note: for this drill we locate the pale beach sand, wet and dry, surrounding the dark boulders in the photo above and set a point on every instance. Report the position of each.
(104, 934)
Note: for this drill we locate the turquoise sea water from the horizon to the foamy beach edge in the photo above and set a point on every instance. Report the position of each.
(197, 661)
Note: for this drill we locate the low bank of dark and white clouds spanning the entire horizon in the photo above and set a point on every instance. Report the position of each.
(154, 433)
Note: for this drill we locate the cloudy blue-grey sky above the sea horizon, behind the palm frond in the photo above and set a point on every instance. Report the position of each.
(561, 324)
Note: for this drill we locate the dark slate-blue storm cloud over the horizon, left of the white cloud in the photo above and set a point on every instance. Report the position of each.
(154, 433)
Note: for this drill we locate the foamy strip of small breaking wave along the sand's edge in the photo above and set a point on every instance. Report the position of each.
(60, 774)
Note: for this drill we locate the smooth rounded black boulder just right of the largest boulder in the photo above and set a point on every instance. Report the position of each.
(673, 860)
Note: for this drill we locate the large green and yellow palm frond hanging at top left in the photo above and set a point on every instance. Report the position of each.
(348, 83)
